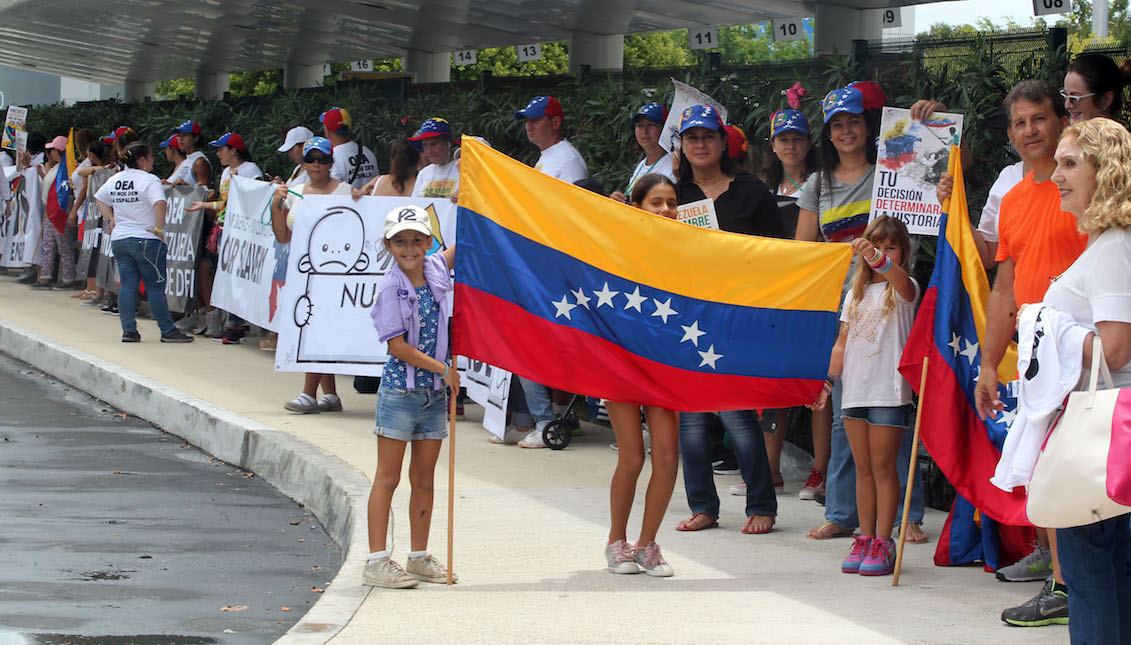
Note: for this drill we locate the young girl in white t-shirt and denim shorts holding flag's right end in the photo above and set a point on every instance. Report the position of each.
(876, 401)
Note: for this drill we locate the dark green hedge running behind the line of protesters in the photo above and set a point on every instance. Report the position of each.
(970, 75)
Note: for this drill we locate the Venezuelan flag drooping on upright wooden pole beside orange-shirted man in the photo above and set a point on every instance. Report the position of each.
(949, 329)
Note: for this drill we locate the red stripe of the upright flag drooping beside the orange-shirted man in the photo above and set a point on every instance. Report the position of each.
(952, 429)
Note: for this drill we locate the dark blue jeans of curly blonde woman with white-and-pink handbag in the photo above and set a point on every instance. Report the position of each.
(1097, 563)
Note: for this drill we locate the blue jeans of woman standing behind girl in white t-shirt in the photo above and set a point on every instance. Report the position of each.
(841, 480)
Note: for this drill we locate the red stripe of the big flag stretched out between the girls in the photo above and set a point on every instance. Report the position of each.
(500, 333)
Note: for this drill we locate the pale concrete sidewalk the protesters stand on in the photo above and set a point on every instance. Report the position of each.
(532, 524)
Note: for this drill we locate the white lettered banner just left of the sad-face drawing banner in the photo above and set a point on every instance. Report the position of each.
(248, 255)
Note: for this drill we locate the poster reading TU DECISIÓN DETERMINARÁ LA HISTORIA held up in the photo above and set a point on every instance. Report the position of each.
(910, 164)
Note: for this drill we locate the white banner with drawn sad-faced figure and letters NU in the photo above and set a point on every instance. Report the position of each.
(324, 322)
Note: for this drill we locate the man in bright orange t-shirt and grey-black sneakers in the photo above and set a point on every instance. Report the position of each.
(1038, 242)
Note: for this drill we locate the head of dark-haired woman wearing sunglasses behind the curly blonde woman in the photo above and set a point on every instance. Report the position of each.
(1094, 88)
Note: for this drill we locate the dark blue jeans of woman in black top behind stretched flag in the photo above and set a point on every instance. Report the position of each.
(750, 451)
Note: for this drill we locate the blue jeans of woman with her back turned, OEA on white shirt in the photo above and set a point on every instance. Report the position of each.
(142, 260)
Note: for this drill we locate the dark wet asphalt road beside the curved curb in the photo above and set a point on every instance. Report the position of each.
(115, 534)
